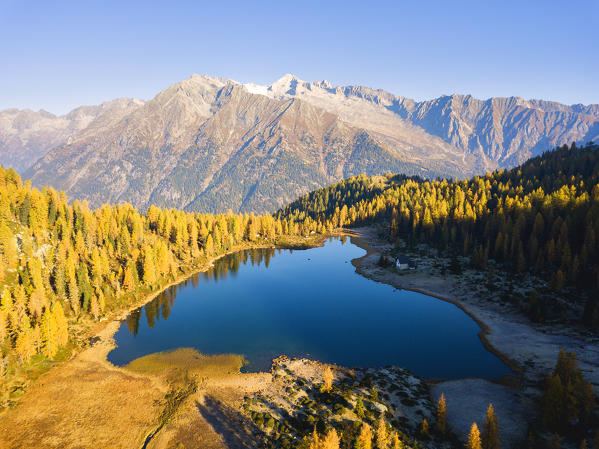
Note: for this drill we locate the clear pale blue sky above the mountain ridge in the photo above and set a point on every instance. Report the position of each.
(57, 55)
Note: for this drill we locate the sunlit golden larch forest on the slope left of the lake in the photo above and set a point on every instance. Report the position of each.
(63, 264)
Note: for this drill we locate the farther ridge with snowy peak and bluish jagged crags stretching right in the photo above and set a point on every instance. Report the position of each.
(501, 132)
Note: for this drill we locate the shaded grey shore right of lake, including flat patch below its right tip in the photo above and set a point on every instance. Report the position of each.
(529, 349)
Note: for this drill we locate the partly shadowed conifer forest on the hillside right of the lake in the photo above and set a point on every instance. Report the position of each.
(541, 218)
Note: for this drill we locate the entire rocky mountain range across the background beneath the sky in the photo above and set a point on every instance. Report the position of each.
(209, 144)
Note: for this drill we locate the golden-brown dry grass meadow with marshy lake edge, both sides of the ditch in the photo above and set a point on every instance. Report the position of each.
(89, 403)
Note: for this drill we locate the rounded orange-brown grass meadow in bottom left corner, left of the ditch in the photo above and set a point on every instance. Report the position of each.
(82, 404)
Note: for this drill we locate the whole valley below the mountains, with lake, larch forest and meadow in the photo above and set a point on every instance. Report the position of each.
(183, 320)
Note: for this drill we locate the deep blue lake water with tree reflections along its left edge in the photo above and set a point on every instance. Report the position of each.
(307, 303)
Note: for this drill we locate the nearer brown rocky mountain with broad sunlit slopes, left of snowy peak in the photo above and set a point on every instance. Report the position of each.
(209, 145)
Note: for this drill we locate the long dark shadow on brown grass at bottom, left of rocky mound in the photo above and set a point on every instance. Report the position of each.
(237, 431)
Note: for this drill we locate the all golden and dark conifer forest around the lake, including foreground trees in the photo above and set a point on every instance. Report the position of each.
(64, 266)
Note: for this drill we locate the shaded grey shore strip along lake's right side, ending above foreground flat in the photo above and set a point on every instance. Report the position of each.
(503, 328)
